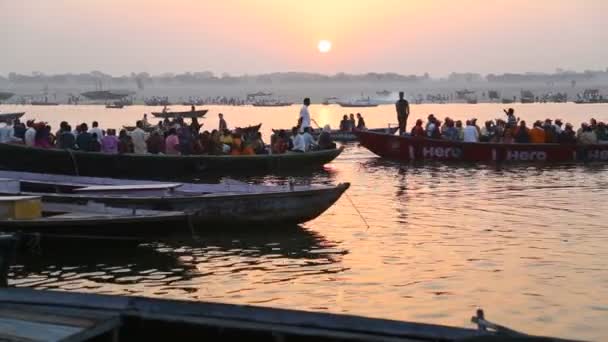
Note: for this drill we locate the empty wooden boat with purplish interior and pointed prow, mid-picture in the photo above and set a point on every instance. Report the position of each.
(226, 204)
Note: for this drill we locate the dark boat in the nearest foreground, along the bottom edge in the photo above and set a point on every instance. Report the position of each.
(36, 315)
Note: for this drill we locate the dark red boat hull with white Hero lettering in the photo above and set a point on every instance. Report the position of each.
(409, 149)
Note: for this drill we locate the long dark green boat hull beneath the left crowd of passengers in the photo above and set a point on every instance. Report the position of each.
(24, 158)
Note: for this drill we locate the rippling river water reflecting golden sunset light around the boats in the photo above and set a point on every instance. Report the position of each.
(429, 243)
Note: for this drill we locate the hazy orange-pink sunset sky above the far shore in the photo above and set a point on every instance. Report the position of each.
(256, 36)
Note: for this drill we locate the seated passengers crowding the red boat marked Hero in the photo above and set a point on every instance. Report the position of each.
(511, 130)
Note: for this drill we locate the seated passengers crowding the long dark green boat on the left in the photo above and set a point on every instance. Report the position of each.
(170, 137)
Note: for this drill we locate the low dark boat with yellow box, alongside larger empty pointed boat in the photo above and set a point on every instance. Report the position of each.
(94, 219)
